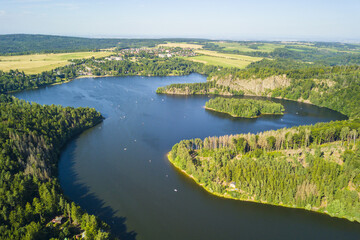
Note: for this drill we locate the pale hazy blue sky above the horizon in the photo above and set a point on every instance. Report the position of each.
(323, 20)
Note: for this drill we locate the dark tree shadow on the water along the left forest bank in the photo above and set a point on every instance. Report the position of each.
(81, 195)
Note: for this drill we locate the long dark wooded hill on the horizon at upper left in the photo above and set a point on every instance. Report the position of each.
(14, 44)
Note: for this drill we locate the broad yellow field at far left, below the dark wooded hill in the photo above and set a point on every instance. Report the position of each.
(37, 63)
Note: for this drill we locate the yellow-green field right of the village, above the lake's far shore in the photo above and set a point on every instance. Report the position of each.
(223, 59)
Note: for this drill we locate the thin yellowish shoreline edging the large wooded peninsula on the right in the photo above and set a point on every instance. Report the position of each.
(248, 200)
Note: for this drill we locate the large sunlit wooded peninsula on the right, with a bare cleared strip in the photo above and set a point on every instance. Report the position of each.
(312, 167)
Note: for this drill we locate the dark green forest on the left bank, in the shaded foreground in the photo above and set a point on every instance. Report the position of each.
(31, 136)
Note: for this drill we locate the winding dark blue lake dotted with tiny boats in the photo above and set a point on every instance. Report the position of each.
(118, 170)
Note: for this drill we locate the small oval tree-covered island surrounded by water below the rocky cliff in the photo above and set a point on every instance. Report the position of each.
(245, 108)
